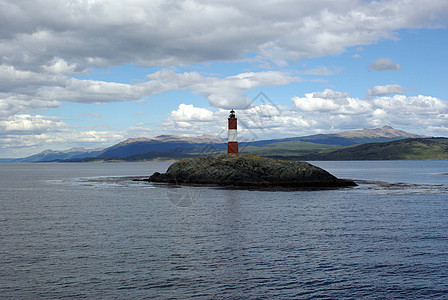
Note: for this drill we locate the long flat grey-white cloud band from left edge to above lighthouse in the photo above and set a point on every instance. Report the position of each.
(227, 92)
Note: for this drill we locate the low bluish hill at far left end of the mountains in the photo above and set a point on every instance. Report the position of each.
(51, 155)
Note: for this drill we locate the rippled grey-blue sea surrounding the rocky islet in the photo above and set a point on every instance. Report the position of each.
(88, 230)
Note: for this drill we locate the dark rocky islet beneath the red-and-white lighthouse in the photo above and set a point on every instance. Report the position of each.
(248, 170)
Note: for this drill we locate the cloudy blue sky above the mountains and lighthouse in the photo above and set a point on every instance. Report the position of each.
(92, 73)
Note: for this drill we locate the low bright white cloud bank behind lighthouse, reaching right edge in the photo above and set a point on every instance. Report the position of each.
(319, 112)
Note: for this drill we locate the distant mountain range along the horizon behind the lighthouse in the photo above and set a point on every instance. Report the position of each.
(167, 147)
